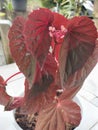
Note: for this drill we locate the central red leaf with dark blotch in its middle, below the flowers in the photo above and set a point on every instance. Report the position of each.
(43, 89)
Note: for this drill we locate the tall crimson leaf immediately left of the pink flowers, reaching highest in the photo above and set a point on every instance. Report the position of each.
(36, 33)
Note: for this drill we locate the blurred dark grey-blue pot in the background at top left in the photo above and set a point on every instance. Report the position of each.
(19, 5)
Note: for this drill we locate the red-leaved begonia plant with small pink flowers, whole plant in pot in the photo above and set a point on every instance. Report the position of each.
(55, 55)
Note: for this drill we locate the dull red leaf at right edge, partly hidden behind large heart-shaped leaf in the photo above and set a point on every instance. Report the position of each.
(76, 79)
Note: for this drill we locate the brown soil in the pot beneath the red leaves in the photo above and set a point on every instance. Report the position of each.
(28, 122)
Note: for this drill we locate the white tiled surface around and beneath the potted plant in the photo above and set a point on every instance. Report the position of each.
(87, 96)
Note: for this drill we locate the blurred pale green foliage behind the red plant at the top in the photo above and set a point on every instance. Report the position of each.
(68, 8)
